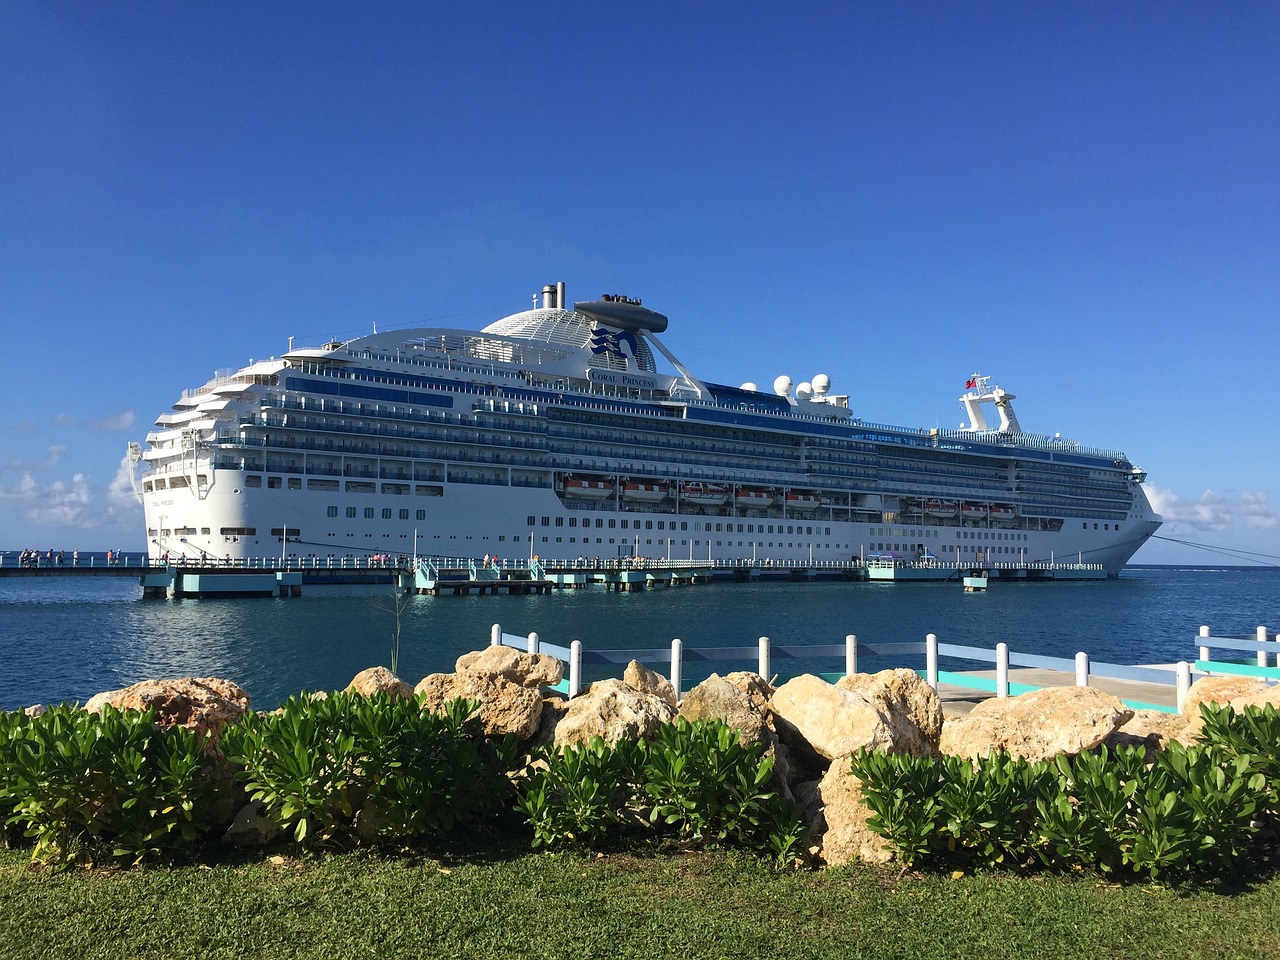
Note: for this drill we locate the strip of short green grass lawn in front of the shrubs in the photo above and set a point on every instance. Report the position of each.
(564, 906)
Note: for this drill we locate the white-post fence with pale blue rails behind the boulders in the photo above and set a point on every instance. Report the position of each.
(1169, 684)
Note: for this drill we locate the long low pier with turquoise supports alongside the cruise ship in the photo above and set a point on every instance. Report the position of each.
(267, 577)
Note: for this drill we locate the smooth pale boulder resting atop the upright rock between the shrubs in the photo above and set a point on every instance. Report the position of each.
(834, 723)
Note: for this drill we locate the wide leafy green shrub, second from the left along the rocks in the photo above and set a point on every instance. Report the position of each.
(349, 769)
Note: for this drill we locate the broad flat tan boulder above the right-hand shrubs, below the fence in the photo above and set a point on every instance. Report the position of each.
(1037, 725)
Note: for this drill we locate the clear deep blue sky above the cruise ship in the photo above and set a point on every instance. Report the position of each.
(1081, 200)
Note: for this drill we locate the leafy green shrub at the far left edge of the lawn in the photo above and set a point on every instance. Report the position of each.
(81, 784)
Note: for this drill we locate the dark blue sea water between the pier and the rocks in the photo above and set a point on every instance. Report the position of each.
(68, 638)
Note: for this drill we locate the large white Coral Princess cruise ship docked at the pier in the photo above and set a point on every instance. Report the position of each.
(556, 432)
